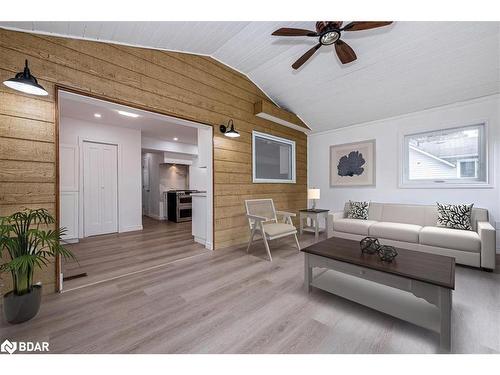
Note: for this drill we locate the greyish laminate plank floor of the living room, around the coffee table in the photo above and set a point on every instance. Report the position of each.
(229, 301)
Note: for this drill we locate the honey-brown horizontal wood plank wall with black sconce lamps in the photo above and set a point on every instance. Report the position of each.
(193, 87)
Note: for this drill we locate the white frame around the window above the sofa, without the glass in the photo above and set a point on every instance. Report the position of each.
(472, 183)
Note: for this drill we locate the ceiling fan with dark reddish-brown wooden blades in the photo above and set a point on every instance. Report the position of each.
(329, 32)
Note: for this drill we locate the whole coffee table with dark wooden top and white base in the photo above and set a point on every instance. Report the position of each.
(388, 287)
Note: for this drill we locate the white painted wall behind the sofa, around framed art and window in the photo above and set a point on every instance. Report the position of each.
(387, 133)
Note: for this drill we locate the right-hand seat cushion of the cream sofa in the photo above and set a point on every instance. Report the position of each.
(458, 239)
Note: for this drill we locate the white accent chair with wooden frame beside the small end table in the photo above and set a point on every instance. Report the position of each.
(263, 219)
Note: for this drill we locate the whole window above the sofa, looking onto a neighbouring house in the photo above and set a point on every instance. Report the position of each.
(446, 157)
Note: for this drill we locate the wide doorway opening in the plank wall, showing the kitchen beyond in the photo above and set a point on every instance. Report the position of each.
(135, 189)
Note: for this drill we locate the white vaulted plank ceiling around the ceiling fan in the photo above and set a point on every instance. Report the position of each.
(406, 67)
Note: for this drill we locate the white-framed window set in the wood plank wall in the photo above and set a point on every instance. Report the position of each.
(273, 159)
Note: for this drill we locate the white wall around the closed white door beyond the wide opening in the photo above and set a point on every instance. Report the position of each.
(73, 132)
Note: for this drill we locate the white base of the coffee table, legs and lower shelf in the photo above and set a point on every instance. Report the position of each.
(423, 304)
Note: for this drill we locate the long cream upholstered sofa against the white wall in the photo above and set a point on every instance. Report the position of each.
(414, 227)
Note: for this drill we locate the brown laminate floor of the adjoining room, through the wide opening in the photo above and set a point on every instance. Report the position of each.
(113, 255)
